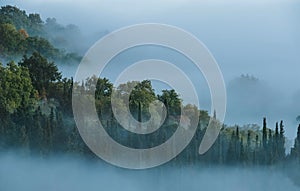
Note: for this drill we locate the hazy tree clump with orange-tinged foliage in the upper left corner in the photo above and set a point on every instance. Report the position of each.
(22, 34)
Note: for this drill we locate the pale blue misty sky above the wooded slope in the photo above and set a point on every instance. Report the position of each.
(257, 37)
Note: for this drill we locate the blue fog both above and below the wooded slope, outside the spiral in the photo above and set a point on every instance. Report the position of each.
(256, 37)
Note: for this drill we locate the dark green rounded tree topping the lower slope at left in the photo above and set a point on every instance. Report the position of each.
(42, 72)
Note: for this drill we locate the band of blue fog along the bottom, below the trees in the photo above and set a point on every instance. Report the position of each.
(60, 174)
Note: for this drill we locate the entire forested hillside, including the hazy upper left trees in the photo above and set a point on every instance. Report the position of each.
(36, 117)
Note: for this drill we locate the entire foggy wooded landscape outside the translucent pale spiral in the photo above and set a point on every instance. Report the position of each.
(255, 43)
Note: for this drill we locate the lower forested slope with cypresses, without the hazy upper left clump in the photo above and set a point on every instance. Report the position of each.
(36, 117)
